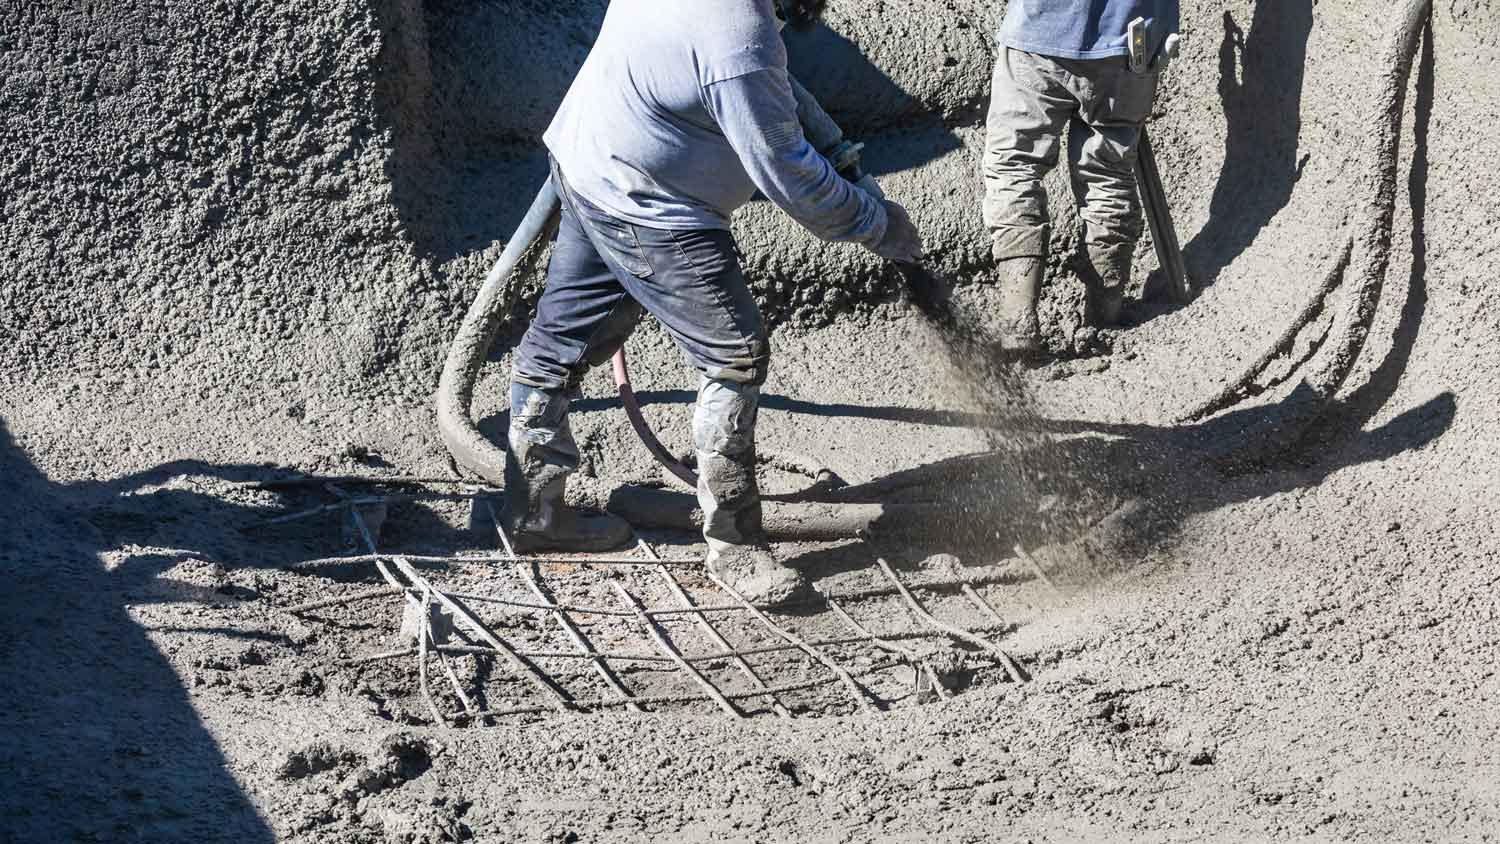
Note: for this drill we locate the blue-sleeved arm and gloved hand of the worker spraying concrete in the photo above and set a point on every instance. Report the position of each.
(758, 116)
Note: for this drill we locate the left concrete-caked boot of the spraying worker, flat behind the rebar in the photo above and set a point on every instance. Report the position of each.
(542, 456)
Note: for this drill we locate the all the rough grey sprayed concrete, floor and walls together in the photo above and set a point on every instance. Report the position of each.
(238, 236)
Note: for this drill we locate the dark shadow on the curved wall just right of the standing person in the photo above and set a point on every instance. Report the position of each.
(1261, 88)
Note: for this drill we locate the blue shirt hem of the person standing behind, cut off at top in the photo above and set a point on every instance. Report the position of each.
(1085, 29)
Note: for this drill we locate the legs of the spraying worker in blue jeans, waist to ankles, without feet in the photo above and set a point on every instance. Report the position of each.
(604, 274)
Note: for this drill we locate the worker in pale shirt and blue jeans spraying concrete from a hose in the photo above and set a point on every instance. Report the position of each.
(682, 112)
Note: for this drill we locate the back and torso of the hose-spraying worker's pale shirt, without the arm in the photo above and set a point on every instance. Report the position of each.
(634, 134)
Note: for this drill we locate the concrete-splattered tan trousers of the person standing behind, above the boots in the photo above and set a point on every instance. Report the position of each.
(1103, 104)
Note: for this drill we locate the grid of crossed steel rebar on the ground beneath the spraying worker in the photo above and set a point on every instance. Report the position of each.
(652, 624)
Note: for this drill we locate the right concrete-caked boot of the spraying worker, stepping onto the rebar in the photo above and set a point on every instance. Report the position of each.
(730, 494)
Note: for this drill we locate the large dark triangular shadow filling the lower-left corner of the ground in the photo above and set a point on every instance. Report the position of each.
(101, 741)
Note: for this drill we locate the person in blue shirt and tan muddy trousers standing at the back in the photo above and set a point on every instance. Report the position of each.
(1069, 65)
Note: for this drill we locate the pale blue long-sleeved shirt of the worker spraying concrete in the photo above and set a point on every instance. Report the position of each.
(683, 110)
